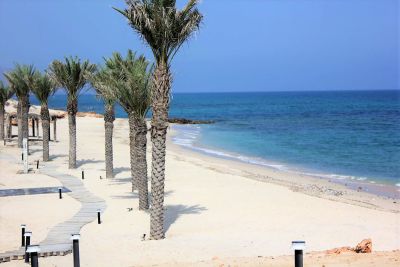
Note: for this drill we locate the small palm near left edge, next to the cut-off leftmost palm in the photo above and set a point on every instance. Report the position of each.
(21, 80)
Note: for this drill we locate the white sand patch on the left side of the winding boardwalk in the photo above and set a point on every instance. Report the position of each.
(39, 212)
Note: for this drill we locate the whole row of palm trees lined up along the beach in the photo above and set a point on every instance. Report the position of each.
(131, 83)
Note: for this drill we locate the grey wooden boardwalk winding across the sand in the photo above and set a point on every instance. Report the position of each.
(58, 240)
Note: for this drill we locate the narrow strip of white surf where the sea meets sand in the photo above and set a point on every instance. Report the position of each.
(375, 188)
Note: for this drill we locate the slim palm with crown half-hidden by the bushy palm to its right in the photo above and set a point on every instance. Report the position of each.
(99, 80)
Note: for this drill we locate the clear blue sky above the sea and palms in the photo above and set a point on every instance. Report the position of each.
(243, 45)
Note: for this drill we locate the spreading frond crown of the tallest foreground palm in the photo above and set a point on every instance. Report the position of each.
(161, 25)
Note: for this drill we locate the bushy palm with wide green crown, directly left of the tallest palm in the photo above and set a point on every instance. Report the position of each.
(127, 81)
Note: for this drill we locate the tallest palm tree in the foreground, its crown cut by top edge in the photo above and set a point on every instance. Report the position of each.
(164, 28)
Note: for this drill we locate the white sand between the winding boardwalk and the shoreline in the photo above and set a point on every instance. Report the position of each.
(213, 209)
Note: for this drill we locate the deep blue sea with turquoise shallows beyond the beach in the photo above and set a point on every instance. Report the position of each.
(344, 135)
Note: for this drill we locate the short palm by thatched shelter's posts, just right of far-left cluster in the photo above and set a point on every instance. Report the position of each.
(43, 87)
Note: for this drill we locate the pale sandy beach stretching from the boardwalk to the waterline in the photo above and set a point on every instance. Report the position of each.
(218, 212)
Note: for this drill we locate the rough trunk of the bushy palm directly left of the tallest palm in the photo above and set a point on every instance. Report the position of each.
(140, 147)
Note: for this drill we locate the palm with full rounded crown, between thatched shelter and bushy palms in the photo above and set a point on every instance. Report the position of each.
(71, 75)
